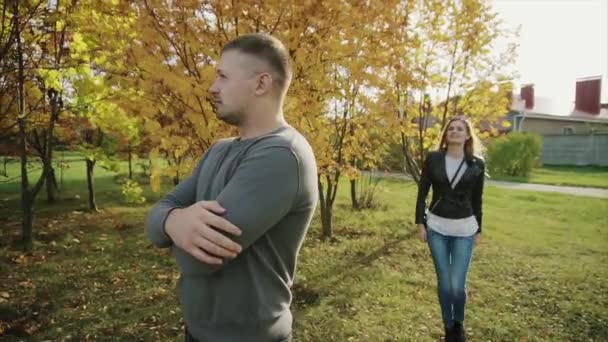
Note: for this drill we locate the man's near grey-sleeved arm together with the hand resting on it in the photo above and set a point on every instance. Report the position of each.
(259, 194)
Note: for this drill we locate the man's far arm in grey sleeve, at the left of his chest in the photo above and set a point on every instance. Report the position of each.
(183, 195)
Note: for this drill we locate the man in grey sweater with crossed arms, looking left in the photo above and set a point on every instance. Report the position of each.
(237, 224)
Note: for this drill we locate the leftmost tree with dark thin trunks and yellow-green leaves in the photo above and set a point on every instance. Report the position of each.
(45, 69)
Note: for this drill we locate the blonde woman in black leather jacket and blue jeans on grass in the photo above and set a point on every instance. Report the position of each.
(452, 224)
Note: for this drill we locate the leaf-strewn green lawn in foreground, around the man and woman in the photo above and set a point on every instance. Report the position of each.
(538, 275)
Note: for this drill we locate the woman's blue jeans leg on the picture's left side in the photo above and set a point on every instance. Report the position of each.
(440, 251)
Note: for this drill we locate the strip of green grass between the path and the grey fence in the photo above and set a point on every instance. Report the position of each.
(585, 176)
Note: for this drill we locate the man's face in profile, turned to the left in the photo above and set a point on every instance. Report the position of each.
(234, 87)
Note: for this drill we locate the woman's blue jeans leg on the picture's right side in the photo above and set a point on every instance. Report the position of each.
(461, 252)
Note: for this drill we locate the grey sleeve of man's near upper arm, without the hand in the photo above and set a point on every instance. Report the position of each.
(261, 192)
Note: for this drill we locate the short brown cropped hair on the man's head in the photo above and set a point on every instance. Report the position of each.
(268, 49)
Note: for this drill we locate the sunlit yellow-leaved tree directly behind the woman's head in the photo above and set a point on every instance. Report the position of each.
(446, 47)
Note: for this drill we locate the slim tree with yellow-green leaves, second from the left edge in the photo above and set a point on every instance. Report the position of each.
(97, 83)
